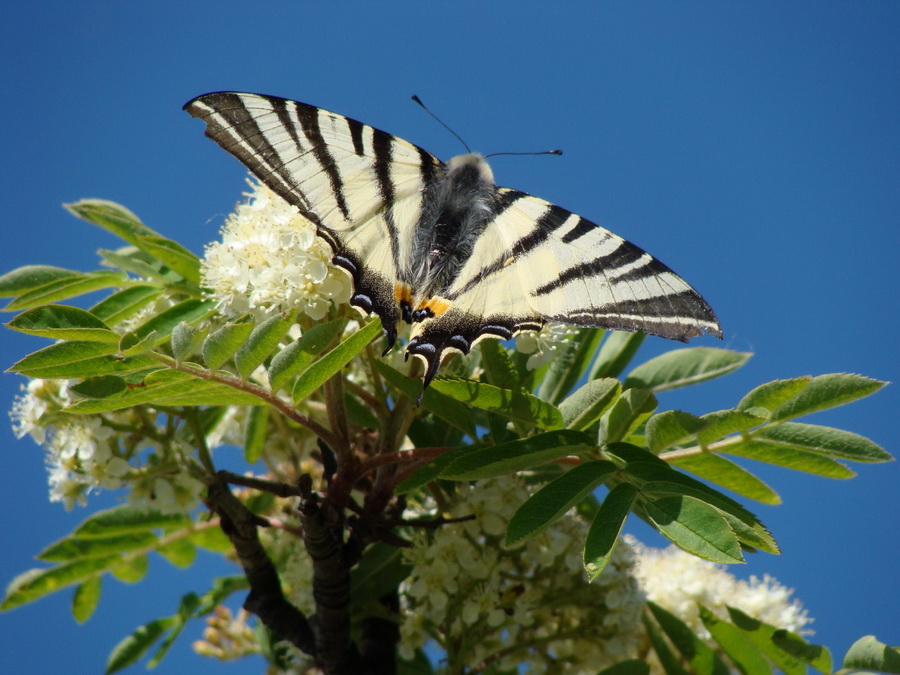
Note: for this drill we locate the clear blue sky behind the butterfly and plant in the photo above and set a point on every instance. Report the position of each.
(753, 148)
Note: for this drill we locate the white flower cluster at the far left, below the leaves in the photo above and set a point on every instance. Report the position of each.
(88, 452)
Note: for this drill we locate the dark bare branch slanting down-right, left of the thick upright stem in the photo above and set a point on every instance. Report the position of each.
(265, 599)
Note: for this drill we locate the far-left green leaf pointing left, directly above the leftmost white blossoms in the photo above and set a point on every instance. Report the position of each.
(71, 360)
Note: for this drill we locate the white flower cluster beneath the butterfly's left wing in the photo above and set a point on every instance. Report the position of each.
(270, 260)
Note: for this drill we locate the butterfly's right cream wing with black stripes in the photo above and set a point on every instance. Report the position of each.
(536, 262)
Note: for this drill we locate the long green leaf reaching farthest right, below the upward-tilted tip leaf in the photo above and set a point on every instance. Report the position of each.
(822, 440)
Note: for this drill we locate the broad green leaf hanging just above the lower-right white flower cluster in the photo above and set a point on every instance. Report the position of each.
(693, 525)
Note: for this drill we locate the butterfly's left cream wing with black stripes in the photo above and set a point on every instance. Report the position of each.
(363, 188)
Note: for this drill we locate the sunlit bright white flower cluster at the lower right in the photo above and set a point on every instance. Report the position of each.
(679, 582)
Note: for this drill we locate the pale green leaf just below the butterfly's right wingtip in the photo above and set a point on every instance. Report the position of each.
(682, 367)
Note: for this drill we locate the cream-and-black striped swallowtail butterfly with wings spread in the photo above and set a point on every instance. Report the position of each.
(439, 245)
